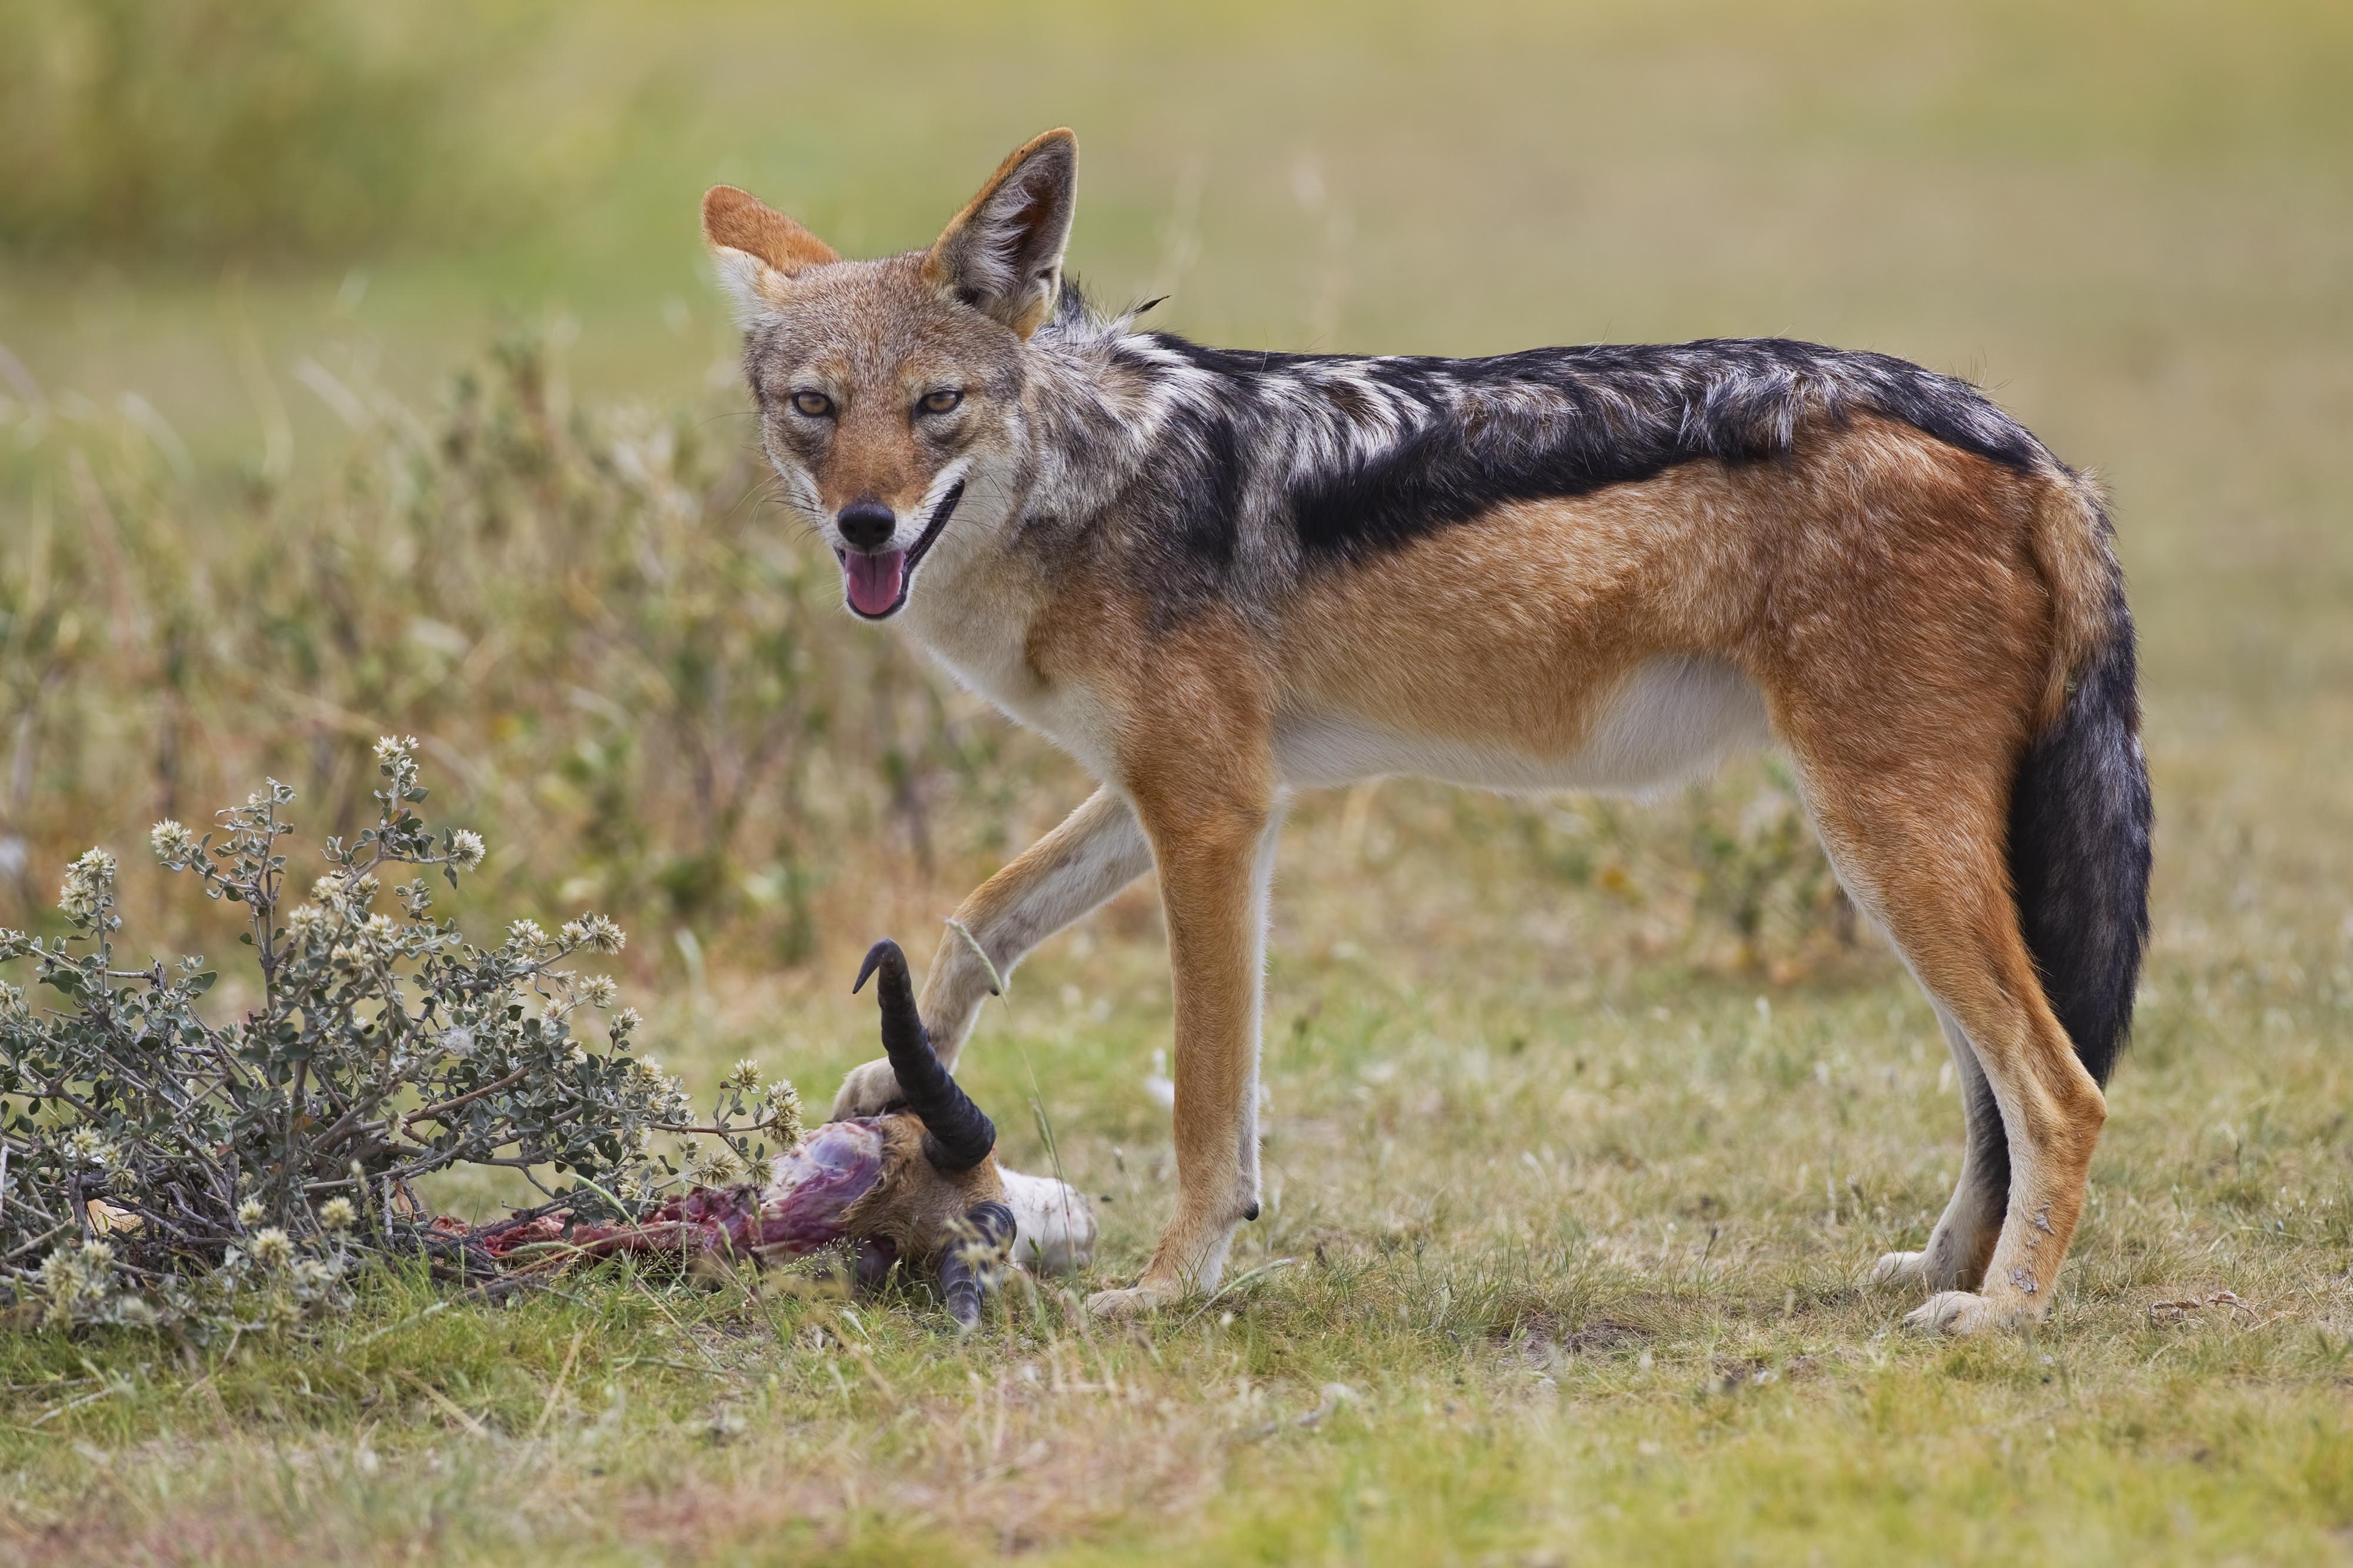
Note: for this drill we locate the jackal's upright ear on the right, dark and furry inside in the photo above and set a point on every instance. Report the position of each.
(1004, 251)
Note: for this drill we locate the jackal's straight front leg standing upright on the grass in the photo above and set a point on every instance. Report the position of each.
(1215, 865)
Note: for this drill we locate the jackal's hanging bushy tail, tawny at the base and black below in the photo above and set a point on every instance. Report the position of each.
(2079, 811)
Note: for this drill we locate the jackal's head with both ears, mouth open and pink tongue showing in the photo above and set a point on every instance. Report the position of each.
(893, 390)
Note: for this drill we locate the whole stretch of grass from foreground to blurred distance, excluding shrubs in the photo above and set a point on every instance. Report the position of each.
(1564, 1218)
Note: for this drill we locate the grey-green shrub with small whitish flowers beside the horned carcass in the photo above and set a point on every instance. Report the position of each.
(161, 1167)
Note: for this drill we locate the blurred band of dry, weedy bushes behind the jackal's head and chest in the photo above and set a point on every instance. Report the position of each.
(627, 663)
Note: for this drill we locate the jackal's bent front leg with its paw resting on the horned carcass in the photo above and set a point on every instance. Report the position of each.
(1069, 872)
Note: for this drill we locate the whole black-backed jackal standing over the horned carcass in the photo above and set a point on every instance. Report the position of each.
(1220, 578)
